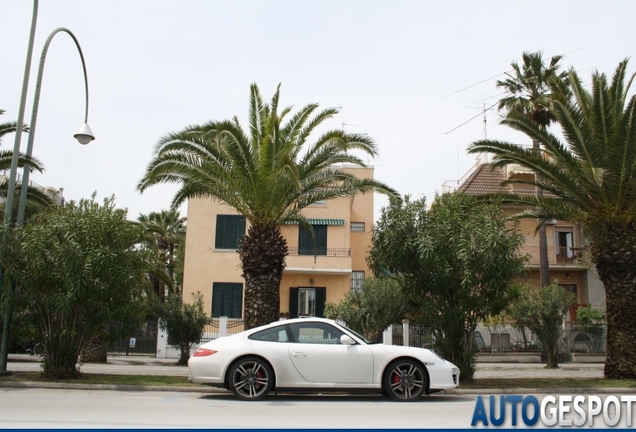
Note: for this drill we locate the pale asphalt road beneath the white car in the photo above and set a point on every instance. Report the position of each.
(64, 408)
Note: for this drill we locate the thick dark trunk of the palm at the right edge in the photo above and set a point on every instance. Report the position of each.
(614, 253)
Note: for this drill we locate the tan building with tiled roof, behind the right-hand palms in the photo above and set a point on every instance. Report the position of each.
(567, 247)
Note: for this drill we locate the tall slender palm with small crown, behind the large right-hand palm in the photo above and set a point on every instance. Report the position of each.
(529, 95)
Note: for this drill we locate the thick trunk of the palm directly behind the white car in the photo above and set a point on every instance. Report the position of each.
(262, 252)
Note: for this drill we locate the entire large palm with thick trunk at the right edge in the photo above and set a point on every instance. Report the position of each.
(591, 180)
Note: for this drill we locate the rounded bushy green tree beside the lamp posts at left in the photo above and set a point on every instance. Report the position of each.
(77, 268)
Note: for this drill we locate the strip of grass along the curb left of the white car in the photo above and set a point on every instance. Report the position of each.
(136, 380)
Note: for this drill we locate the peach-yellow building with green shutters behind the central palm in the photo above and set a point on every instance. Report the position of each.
(342, 228)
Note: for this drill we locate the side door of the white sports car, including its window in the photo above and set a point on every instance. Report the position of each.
(319, 357)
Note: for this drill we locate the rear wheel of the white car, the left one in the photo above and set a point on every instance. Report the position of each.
(251, 378)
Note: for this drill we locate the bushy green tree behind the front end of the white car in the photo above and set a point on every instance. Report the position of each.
(456, 260)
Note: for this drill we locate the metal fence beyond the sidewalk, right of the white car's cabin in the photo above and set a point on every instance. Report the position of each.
(505, 339)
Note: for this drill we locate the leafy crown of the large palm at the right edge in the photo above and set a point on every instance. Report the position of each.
(591, 174)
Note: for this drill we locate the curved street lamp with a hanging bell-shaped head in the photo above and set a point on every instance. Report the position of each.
(84, 135)
